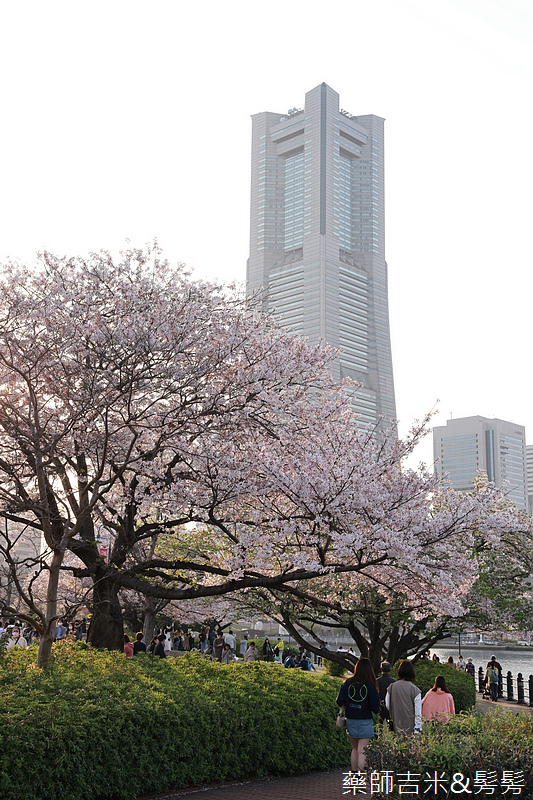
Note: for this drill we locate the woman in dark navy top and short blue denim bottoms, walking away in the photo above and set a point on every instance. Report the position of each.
(359, 697)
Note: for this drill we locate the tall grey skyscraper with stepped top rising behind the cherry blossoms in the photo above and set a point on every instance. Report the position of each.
(317, 238)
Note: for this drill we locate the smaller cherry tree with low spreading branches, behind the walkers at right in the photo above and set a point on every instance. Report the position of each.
(398, 616)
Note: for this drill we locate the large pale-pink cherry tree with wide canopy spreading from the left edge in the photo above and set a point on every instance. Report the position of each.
(137, 403)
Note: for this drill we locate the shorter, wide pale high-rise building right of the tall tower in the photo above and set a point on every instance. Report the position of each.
(465, 446)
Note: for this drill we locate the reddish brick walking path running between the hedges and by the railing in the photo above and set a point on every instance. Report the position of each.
(307, 786)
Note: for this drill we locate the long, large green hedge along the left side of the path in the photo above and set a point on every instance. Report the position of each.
(100, 725)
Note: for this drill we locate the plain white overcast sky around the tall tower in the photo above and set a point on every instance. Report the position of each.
(132, 120)
